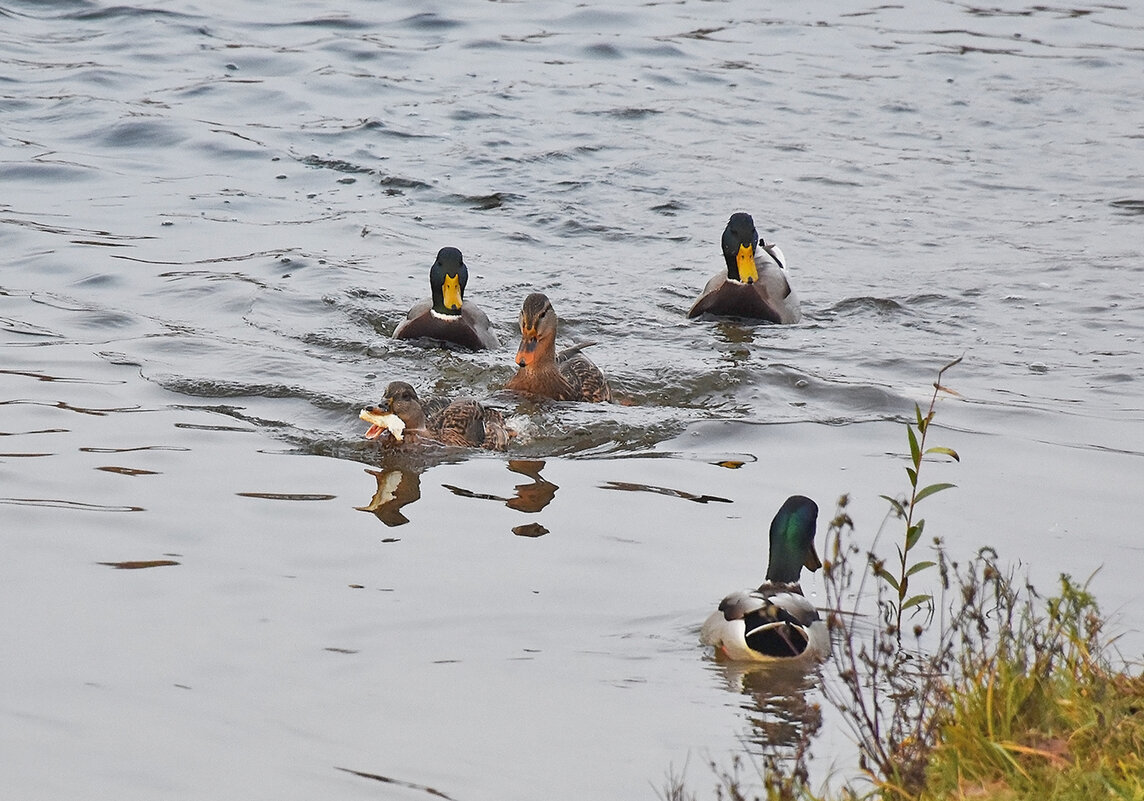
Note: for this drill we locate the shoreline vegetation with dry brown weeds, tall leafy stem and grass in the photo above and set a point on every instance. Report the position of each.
(1004, 696)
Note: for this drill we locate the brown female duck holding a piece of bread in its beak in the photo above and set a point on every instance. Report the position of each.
(463, 424)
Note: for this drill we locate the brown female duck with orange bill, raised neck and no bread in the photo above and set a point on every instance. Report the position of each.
(568, 376)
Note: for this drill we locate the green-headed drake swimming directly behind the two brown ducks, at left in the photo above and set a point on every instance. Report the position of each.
(447, 316)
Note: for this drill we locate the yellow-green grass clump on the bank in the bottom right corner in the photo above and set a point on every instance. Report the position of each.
(1042, 710)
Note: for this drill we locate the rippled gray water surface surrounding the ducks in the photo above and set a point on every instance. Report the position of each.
(213, 216)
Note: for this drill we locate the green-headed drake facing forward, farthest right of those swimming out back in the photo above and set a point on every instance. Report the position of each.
(756, 285)
